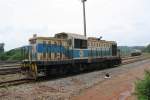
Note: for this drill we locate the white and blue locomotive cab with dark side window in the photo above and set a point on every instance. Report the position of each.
(77, 45)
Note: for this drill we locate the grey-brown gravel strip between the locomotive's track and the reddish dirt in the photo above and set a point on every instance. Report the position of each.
(65, 88)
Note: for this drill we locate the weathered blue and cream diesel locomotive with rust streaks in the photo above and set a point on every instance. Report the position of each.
(67, 52)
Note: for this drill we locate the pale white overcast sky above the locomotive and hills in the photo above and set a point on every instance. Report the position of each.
(125, 21)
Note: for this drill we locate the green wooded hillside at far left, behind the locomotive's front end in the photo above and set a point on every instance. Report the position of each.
(14, 54)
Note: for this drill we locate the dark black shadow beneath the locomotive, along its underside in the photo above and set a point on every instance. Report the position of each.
(69, 72)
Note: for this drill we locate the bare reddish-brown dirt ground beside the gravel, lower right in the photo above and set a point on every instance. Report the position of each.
(120, 87)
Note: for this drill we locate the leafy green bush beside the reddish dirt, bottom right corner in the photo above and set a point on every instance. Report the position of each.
(143, 87)
